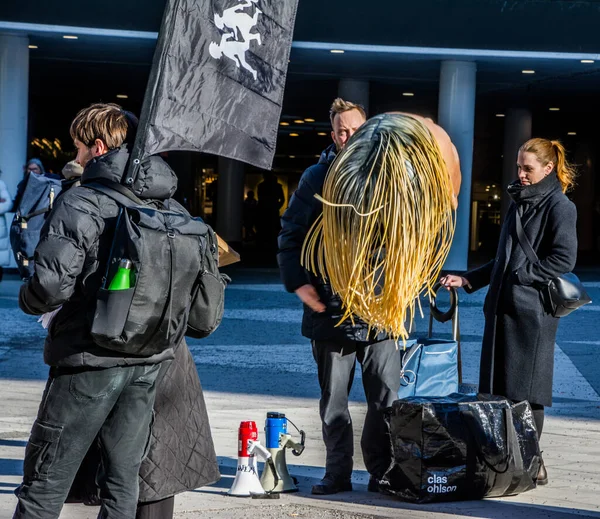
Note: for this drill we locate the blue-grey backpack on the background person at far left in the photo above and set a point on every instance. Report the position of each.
(37, 201)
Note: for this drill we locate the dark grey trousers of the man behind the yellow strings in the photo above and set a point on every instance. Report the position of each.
(336, 363)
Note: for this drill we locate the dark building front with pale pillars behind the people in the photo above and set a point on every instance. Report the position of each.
(492, 72)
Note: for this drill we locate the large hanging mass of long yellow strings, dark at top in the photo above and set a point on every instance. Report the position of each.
(387, 222)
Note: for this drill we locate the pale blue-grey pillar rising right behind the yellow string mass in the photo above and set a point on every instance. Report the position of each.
(456, 114)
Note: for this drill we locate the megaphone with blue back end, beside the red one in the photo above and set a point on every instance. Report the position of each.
(275, 476)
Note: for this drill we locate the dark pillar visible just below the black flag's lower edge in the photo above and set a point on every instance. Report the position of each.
(230, 199)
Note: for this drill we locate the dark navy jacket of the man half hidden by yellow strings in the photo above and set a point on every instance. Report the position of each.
(302, 212)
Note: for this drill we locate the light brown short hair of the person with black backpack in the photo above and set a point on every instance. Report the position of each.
(104, 121)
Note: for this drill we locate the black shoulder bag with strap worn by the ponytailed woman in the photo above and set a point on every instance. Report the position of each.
(564, 293)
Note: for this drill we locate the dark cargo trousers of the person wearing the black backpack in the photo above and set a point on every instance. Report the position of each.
(113, 404)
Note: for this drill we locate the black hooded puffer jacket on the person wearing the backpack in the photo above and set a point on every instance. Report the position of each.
(71, 258)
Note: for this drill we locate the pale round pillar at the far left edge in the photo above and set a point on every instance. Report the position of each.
(14, 100)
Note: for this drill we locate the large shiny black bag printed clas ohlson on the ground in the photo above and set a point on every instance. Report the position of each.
(460, 447)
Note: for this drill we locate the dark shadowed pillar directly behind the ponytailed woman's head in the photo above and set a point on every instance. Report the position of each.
(517, 130)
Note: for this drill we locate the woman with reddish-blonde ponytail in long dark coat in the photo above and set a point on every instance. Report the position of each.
(517, 357)
